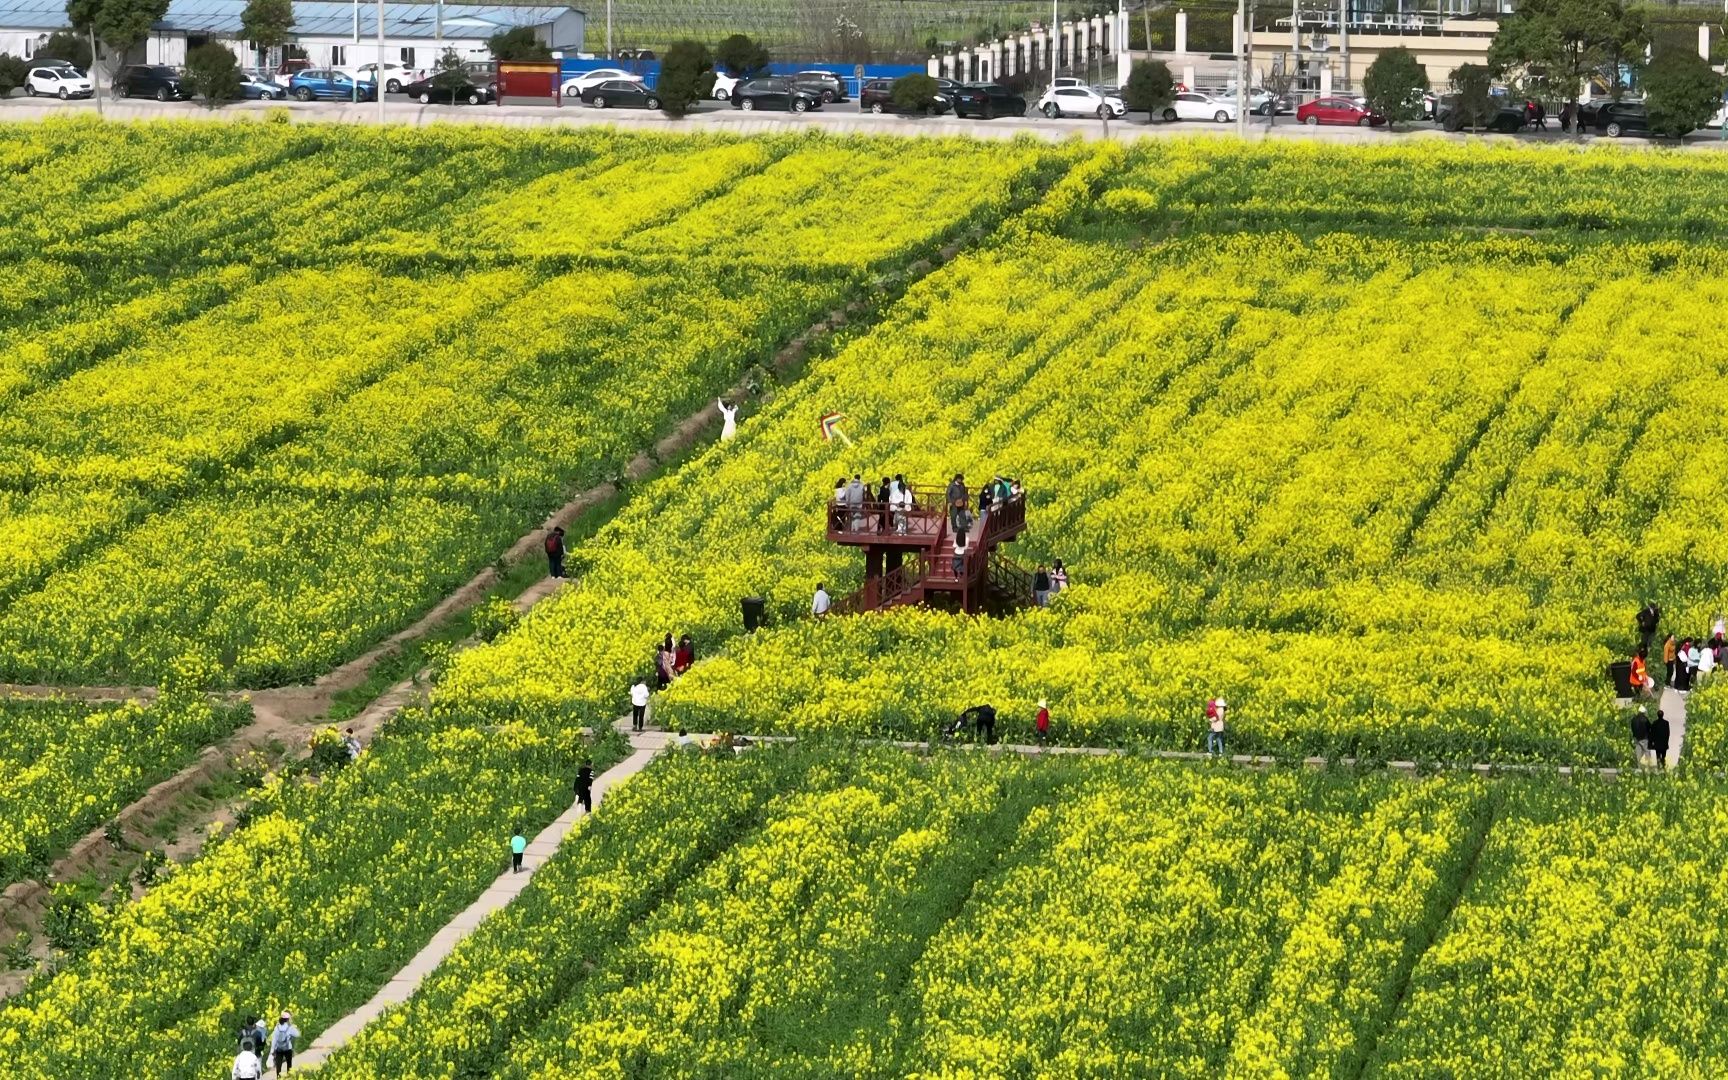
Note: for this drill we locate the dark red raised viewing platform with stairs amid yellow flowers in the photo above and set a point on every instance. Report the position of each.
(910, 554)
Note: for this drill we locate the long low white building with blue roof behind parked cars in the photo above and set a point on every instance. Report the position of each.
(331, 34)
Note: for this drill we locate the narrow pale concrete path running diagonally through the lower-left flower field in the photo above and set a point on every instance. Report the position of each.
(499, 894)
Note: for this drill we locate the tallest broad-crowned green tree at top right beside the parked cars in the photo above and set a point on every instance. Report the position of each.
(1563, 41)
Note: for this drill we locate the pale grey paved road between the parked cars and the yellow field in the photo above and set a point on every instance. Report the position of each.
(720, 117)
